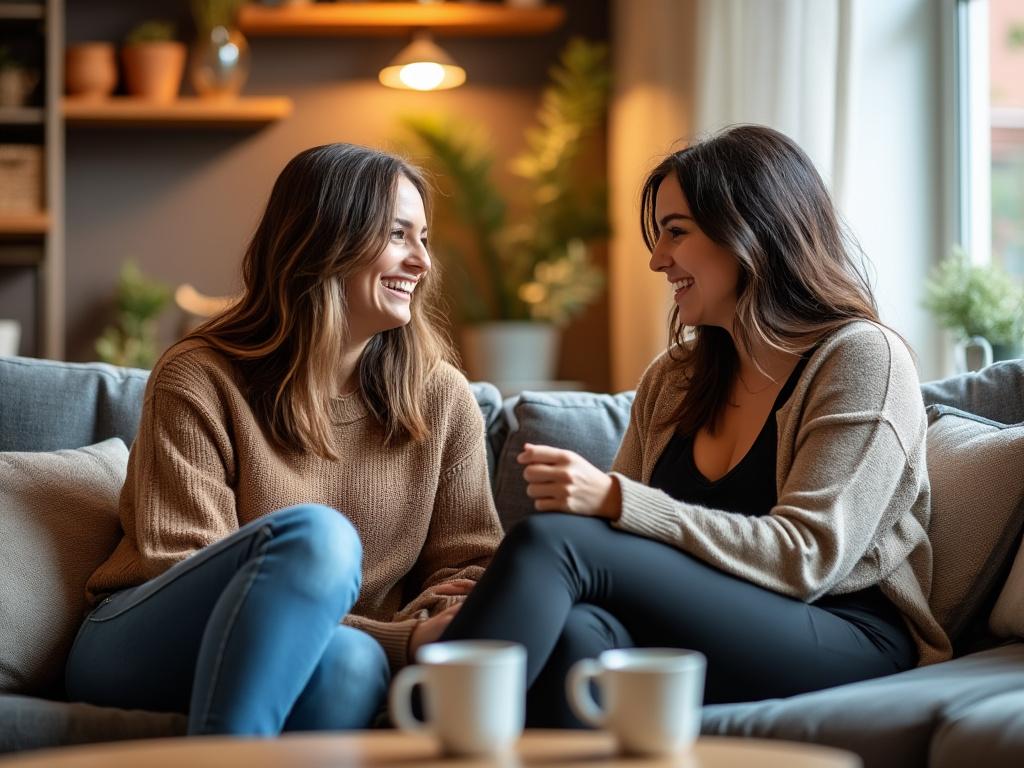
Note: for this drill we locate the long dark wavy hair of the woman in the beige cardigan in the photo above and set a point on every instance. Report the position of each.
(754, 192)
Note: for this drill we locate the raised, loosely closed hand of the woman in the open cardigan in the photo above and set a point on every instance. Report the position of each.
(563, 482)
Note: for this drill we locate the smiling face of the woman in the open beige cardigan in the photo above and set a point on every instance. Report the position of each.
(703, 276)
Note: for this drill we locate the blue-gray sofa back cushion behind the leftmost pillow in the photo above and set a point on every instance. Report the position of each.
(49, 406)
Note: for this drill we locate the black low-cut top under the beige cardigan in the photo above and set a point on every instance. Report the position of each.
(750, 489)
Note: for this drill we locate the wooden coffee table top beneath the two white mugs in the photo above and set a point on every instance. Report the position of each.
(376, 749)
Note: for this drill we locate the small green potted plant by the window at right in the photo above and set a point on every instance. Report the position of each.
(983, 306)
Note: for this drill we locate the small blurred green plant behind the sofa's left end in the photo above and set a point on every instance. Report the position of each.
(133, 339)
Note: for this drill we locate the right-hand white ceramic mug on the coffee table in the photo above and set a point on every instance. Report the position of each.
(652, 698)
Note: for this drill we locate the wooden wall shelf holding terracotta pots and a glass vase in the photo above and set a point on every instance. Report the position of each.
(245, 112)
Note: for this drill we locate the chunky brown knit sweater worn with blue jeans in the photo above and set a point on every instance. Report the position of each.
(202, 466)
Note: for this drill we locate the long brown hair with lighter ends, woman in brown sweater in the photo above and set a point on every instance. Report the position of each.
(328, 219)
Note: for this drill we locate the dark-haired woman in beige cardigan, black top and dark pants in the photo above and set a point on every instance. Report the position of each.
(770, 503)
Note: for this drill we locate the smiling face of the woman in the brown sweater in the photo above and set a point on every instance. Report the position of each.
(380, 296)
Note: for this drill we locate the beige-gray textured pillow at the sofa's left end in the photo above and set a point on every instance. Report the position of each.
(59, 521)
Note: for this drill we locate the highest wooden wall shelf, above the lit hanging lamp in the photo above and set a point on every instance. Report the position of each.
(336, 20)
